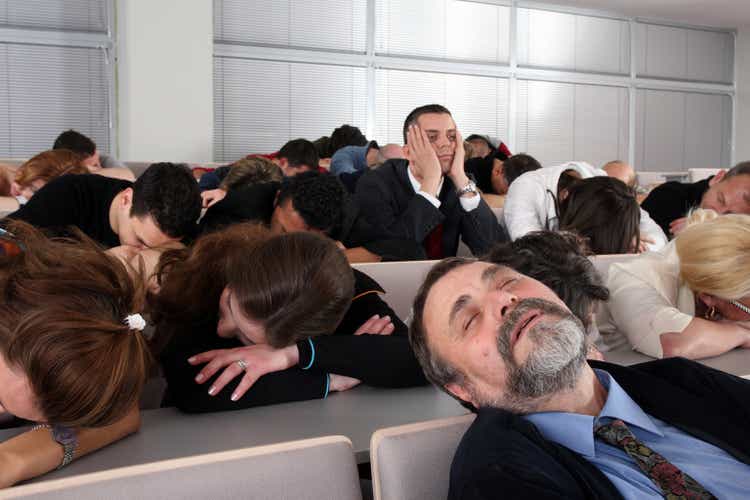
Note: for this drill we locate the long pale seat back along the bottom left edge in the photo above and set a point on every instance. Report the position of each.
(302, 470)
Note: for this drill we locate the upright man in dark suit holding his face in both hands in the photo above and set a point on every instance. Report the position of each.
(428, 197)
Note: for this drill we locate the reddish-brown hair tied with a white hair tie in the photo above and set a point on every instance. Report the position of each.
(62, 322)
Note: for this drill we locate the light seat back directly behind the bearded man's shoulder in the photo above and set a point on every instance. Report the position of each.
(412, 462)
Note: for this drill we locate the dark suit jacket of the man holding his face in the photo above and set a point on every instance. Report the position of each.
(388, 201)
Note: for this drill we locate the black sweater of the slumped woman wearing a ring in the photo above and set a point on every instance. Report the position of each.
(377, 360)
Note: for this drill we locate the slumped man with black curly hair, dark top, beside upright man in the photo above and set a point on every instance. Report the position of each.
(310, 201)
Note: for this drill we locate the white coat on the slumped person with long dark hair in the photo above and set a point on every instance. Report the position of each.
(530, 203)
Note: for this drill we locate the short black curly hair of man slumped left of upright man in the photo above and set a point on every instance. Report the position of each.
(318, 198)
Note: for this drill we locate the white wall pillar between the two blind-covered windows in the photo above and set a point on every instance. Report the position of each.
(165, 80)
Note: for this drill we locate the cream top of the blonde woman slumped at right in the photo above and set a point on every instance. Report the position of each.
(647, 298)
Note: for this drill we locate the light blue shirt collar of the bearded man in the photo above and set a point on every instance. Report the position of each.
(576, 431)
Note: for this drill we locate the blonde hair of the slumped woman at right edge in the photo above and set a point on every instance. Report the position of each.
(714, 254)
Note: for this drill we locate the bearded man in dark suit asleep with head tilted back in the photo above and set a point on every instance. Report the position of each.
(551, 424)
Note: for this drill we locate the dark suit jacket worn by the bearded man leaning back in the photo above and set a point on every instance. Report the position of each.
(503, 455)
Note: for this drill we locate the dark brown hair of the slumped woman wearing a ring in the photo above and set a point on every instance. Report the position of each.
(297, 284)
